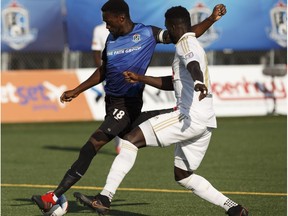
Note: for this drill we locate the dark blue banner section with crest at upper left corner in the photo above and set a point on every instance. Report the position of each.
(29, 25)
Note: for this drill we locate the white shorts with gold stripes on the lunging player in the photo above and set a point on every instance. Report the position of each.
(191, 139)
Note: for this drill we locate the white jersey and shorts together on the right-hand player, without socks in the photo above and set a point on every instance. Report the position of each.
(190, 126)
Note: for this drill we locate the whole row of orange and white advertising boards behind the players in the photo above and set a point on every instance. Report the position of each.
(238, 90)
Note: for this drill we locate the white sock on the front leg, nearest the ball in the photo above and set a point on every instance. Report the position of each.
(122, 164)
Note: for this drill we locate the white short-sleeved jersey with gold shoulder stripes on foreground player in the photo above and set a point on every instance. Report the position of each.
(202, 112)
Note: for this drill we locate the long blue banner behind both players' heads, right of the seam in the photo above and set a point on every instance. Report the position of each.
(248, 25)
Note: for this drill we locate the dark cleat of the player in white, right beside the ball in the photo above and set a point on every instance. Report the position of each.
(99, 203)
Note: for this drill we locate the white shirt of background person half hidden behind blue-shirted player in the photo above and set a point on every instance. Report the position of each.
(100, 35)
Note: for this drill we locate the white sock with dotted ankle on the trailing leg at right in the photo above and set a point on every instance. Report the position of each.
(202, 188)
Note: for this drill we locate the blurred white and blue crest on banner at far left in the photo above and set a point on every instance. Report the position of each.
(16, 31)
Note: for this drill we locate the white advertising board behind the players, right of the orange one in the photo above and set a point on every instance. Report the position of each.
(237, 91)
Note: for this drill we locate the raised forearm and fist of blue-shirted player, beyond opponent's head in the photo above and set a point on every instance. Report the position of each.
(200, 28)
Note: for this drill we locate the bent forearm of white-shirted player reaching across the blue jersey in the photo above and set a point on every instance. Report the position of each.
(164, 83)
